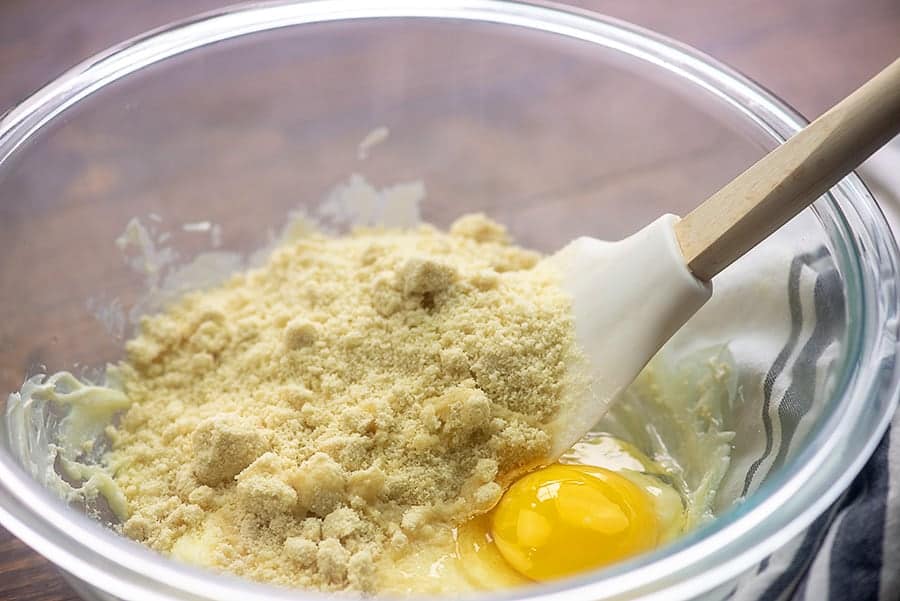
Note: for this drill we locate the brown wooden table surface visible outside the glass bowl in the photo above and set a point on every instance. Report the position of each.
(809, 52)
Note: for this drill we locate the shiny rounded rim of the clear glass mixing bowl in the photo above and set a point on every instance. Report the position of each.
(738, 539)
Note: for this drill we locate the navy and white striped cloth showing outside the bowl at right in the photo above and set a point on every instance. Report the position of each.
(852, 551)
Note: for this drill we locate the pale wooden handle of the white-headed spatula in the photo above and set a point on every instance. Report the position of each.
(780, 185)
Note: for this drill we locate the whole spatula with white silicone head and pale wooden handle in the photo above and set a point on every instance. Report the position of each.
(631, 296)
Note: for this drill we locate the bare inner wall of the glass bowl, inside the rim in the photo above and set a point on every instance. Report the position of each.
(213, 148)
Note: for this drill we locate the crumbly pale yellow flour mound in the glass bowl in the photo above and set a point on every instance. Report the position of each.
(312, 417)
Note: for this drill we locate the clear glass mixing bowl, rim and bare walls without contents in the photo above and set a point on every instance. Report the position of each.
(556, 122)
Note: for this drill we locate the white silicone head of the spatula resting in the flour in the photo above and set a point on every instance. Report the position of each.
(628, 299)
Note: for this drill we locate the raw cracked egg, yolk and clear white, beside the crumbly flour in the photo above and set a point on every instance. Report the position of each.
(565, 519)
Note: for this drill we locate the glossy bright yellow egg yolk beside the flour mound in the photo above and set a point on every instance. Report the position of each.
(566, 519)
